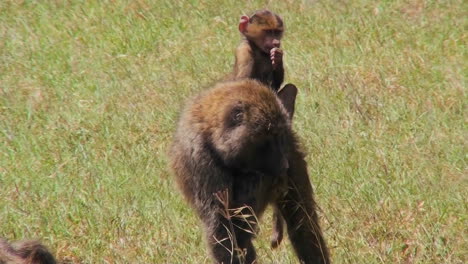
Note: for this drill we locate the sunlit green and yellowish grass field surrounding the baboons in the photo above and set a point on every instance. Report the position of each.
(90, 92)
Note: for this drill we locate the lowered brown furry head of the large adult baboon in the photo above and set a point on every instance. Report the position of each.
(250, 128)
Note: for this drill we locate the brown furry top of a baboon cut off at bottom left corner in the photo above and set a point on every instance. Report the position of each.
(25, 252)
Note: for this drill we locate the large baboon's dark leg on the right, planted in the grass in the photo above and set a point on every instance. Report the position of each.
(299, 211)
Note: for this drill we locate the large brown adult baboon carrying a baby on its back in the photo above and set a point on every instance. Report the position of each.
(233, 154)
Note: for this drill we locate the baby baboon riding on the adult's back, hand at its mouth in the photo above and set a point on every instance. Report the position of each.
(259, 55)
